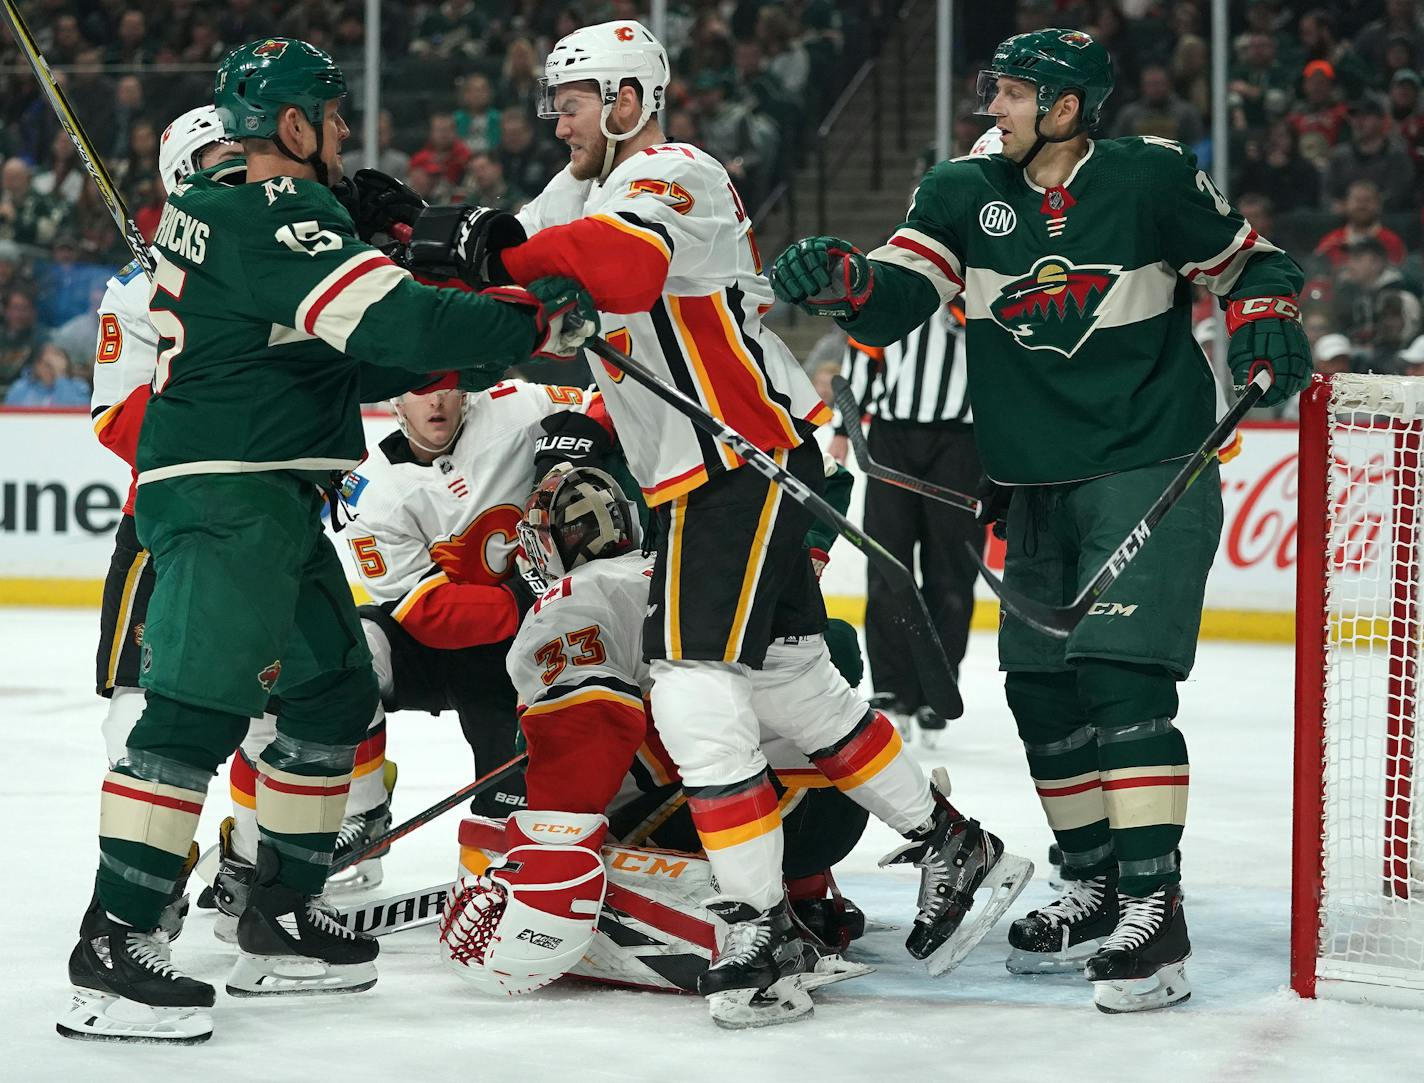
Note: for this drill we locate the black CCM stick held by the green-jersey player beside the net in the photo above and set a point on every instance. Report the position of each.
(1060, 621)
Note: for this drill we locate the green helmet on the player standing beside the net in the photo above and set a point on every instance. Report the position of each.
(1057, 63)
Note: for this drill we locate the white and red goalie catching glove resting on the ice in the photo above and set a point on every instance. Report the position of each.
(533, 914)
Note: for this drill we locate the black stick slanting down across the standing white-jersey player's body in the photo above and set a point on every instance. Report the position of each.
(933, 667)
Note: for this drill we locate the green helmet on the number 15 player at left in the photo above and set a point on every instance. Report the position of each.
(257, 80)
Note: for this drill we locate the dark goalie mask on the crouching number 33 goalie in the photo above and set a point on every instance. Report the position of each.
(576, 514)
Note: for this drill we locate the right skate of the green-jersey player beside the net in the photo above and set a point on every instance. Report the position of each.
(1141, 966)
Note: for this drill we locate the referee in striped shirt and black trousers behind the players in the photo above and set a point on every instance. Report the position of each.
(916, 396)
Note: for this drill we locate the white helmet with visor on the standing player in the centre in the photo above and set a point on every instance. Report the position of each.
(607, 55)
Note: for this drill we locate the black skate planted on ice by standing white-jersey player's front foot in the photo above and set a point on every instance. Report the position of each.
(765, 971)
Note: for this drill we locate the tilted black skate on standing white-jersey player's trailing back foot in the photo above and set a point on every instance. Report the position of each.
(960, 865)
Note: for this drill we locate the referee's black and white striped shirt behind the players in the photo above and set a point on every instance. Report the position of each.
(919, 379)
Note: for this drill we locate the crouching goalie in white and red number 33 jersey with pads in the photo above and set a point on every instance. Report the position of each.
(596, 761)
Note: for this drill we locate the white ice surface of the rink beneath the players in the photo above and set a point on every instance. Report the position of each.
(976, 1025)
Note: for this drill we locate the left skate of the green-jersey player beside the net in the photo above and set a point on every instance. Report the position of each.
(1059, 939)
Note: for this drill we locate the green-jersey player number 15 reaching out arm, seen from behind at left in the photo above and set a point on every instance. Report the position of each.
(277, 321)
